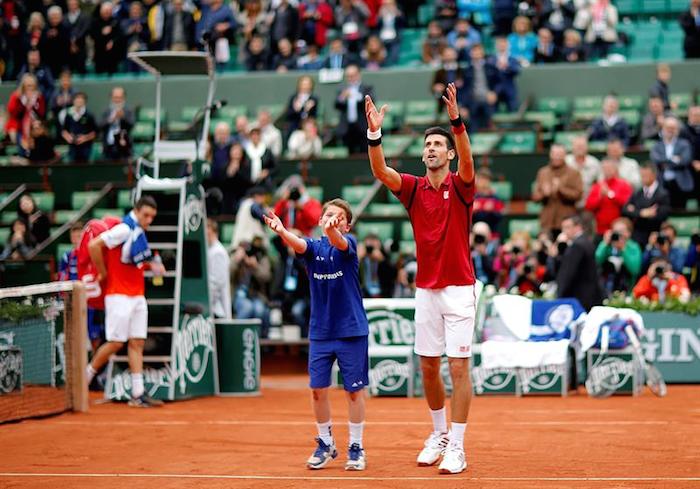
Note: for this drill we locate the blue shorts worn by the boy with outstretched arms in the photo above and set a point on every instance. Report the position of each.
(352, 360)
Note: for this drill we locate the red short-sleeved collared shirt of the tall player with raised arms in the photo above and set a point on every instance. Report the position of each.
(441, 221)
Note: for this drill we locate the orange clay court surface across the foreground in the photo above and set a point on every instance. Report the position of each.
(262, 442)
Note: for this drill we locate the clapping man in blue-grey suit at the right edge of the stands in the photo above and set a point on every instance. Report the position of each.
(673, 156)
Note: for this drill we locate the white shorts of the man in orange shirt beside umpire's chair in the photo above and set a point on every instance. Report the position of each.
(126, 317)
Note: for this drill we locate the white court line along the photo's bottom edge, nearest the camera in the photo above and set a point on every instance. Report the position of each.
(353, 478)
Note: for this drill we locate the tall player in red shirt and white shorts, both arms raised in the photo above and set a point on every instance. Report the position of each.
(439, 206)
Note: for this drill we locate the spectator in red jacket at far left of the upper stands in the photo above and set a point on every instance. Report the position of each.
(25, 105)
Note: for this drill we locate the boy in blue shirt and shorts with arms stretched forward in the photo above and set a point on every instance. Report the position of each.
(338, 327)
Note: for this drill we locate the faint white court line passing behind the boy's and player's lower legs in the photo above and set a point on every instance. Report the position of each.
(237, 422)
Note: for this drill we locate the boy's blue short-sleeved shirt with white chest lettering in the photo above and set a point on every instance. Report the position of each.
(336, 297)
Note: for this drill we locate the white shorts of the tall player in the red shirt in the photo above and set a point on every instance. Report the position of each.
(445, 321)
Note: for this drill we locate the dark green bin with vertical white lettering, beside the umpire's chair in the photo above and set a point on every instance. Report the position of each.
(238, 352)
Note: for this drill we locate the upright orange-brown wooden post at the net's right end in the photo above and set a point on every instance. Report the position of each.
(78, 340)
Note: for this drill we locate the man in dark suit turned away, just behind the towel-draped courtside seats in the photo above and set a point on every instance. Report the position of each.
(578, 275)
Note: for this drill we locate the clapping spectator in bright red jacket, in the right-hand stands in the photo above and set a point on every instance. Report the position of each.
(608, 196)
